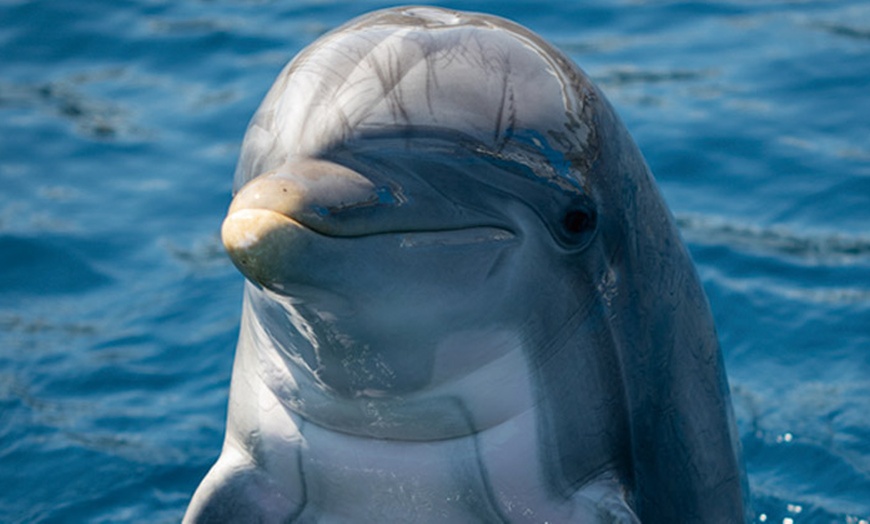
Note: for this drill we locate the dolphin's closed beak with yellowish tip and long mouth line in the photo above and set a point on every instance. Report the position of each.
(315, 222)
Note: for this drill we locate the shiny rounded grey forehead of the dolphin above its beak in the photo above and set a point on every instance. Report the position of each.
(480, 77)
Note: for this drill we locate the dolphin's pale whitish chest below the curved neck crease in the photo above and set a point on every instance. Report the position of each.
(494, 476)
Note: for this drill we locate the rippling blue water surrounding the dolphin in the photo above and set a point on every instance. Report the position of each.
(120, 122)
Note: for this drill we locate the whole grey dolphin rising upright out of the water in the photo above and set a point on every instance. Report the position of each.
(466, 299)
